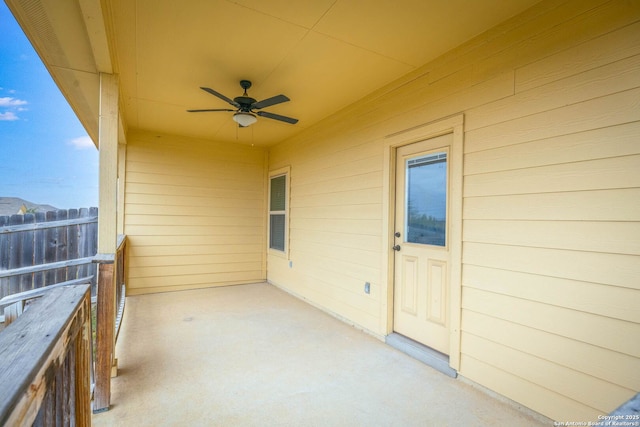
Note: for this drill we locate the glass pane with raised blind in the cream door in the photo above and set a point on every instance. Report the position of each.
(426, 199)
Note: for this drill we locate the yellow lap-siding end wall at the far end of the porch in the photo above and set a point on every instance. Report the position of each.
(194, 213)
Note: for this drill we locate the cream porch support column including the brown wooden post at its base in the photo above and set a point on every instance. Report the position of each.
(107, 240)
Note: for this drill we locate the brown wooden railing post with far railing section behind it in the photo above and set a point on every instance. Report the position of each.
(111, 298)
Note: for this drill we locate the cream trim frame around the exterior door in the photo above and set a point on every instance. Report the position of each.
(454, 125)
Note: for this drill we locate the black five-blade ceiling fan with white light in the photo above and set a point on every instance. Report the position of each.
(245, 113)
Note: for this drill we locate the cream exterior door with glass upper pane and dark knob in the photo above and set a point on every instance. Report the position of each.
(421, 242)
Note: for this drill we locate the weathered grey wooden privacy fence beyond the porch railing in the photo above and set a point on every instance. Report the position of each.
(46, 248)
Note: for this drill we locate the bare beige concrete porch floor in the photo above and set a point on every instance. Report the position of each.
(252, 355)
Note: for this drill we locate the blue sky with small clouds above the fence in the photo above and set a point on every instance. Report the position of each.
(46, 156)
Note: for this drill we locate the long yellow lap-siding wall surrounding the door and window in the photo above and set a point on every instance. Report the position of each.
(551, 217)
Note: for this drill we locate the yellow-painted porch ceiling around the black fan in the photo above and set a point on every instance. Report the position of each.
(323, 54)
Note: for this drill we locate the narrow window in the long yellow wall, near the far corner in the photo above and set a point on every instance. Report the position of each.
(278, 207)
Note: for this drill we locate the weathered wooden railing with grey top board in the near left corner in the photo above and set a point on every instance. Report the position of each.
(45, 354)
